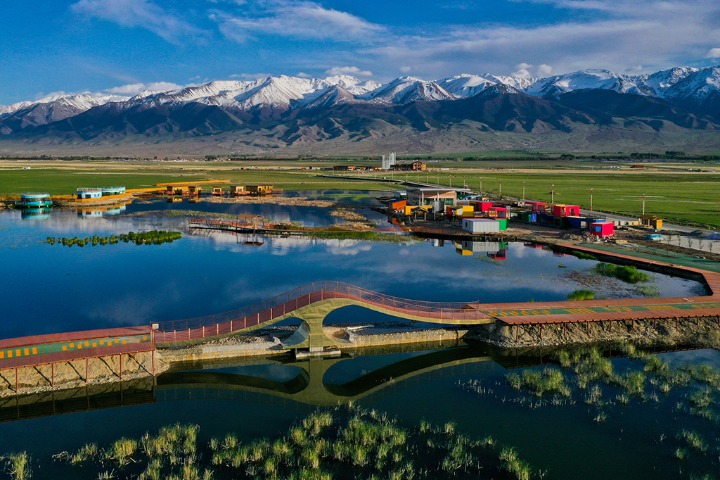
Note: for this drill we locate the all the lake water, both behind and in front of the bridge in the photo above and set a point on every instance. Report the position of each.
(48, 288)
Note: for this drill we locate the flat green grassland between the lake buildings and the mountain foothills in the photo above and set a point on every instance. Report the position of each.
(678, 193)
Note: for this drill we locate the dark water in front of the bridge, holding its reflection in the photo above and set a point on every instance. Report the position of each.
(637, 440)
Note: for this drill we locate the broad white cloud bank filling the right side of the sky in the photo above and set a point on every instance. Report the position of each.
(611, 34)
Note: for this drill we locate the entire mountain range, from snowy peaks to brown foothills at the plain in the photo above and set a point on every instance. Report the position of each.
(589, 109)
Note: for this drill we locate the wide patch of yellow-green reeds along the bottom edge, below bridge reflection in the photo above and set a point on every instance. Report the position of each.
(326, 444)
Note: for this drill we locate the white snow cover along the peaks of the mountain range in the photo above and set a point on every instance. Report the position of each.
(291, 92)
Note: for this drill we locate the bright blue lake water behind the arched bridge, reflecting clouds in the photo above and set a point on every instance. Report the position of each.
(49, 288)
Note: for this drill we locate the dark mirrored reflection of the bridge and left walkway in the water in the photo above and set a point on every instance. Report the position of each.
(303, 382)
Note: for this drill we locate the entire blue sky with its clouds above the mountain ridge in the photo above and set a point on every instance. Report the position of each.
(125, 46)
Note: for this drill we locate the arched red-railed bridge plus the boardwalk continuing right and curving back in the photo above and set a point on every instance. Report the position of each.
(313, 302)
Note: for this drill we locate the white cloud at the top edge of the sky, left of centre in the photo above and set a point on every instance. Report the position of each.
(295, 19)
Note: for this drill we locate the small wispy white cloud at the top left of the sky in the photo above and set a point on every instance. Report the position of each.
(138, 13)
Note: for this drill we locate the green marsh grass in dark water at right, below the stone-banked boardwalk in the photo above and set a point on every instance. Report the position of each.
(586, 375)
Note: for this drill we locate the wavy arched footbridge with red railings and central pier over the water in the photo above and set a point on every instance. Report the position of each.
(311, 303)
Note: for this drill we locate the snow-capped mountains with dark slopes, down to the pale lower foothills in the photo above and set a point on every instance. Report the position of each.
(306, 110)
